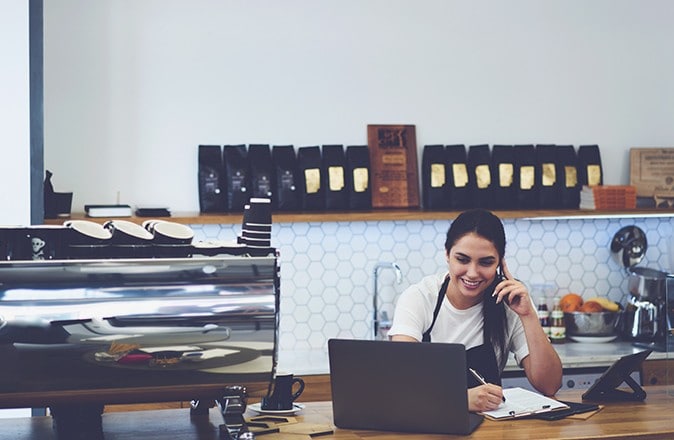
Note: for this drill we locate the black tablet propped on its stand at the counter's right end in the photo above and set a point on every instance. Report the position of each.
(606, 387)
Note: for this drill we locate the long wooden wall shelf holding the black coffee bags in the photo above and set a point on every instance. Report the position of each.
(383, 214)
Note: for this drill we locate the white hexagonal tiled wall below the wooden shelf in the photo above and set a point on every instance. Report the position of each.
(327, 269)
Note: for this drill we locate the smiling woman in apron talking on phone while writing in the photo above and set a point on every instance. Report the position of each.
(478, 303)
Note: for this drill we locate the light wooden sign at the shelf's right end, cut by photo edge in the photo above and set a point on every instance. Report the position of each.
(652, 171)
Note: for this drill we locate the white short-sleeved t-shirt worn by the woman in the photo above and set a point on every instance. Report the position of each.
(414, 314)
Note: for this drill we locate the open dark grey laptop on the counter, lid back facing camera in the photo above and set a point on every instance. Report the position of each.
(400, 386)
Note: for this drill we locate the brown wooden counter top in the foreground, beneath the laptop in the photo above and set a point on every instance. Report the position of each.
(651, 419)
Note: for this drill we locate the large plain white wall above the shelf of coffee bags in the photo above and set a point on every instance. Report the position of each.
(133, 86)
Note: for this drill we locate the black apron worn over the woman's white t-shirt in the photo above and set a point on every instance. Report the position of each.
(481, 358)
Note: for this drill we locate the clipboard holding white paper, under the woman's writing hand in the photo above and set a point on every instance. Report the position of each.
(522, 403)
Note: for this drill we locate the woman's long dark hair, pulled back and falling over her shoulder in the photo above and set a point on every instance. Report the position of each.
(488, 226)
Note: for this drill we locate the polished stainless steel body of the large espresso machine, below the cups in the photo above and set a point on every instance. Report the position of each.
(78, 334)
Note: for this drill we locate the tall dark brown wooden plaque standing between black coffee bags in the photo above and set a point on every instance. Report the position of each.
(393, 165)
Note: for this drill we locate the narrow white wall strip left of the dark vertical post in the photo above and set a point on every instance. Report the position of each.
(14, 113)
